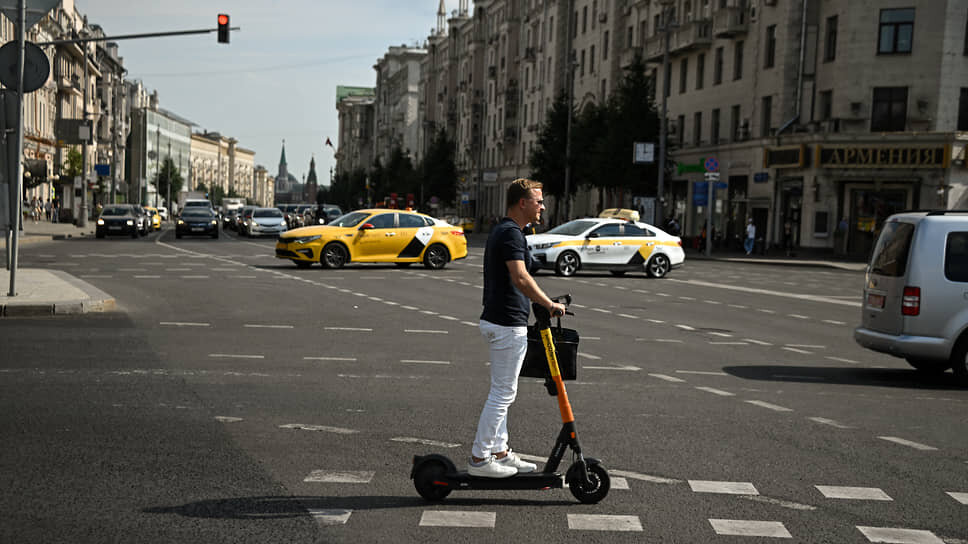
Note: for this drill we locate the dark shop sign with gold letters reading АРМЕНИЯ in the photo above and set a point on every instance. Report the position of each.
(860, 156)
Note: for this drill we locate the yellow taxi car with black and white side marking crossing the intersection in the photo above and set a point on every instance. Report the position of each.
(375, 236)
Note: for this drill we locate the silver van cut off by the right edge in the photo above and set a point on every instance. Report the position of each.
(915, 302)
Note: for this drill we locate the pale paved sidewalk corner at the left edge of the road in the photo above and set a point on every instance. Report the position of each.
(45, 292)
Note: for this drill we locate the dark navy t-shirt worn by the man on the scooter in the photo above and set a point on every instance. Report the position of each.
(503, 303)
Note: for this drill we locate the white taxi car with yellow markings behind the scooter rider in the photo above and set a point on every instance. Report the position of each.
(615, 245)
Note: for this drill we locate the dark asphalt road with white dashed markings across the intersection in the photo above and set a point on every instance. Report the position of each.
(235, 398)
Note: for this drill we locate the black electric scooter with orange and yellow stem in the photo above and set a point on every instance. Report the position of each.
(435, 476)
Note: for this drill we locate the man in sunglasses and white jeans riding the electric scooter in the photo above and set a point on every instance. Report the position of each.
(508, 287)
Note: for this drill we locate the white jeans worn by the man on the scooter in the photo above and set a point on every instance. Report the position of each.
(508, 346)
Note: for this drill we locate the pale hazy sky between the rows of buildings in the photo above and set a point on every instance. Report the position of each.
(277, 78)
